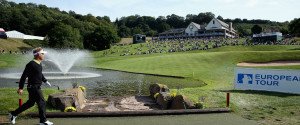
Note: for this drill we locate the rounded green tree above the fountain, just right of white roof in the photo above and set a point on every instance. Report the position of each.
(64, 36)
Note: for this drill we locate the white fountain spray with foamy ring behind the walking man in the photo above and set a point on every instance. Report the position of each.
(58, 63)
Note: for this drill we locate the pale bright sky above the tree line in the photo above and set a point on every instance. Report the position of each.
(274, 10)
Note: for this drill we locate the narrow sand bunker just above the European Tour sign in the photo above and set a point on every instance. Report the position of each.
(274, 63)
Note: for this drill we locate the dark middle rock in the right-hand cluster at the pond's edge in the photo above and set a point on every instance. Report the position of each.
(164, 99)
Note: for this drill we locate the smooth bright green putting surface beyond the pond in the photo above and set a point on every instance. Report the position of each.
(216, 67)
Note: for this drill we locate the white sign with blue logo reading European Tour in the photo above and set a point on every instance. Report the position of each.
(287, 81)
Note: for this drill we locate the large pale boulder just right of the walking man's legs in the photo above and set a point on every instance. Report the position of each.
(70, 98)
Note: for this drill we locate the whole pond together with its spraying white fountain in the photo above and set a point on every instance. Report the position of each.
(65, 67)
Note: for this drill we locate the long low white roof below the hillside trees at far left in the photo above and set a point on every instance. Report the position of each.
(18, 35)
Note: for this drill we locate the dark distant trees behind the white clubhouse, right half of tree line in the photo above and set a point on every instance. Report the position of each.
(136, 24)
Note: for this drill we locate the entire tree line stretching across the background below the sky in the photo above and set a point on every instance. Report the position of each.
(71, 30)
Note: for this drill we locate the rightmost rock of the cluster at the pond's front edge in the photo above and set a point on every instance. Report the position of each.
(181, 102)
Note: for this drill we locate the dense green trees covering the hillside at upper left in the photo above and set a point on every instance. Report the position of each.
(61, 29)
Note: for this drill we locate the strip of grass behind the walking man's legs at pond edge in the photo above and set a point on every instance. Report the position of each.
(9, 100)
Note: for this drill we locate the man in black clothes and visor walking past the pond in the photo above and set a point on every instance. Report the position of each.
(33, 71)
